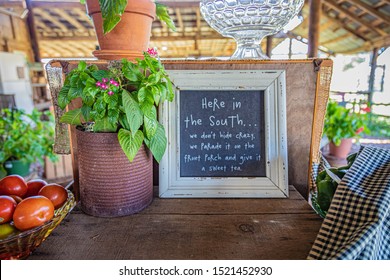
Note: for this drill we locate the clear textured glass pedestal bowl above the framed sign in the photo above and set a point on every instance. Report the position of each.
(249, 21)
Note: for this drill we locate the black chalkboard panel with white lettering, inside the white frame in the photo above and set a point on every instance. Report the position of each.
(222, 133)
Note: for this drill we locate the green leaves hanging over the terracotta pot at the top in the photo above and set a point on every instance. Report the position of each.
(112, 12)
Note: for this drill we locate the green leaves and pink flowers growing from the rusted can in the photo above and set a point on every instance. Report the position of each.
(122, 98)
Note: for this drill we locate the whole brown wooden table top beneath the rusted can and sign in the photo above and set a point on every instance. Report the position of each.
(208, 229)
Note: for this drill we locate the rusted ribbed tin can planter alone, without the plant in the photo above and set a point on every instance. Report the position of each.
(111, 186)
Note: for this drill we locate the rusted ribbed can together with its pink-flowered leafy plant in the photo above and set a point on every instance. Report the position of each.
(117, 124)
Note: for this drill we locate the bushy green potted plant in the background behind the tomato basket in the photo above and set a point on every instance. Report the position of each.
(25, 139)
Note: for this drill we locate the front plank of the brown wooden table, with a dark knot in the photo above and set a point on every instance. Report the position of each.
(144, 236)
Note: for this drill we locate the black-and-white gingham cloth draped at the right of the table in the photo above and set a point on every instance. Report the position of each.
(357, 225)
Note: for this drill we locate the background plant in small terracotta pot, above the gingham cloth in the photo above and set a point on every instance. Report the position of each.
(341, 126)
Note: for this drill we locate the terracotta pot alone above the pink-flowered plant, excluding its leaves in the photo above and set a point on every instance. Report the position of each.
(130, 38)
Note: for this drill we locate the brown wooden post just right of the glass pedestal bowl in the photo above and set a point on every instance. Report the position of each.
(314, 27)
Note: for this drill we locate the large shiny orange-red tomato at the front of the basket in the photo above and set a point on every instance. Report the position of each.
(32, 212)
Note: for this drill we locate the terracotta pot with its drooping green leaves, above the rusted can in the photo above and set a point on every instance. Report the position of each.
(123, 27)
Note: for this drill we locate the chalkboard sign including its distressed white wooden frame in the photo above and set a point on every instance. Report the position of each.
(226, 133)
